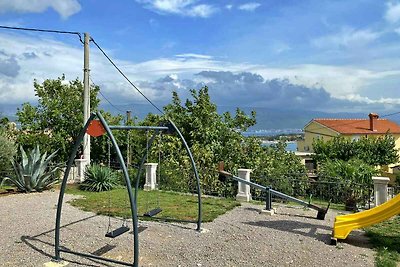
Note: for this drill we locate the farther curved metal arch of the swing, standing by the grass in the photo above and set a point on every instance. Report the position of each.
(196, 174)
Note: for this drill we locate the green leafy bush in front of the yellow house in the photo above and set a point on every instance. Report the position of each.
(373, 151)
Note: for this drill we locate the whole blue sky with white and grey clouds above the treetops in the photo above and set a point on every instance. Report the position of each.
(311, 54)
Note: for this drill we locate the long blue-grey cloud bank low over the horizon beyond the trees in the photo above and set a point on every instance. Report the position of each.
(248, 90)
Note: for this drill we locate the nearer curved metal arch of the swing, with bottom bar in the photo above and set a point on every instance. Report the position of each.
(128, 185)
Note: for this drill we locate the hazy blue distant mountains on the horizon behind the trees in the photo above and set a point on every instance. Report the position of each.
(269, 121)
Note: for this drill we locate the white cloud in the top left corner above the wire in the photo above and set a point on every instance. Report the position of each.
(65, 8)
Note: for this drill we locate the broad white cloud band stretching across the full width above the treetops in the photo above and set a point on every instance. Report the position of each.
(44, 58)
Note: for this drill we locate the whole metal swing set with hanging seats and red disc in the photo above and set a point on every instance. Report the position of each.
(97, 126)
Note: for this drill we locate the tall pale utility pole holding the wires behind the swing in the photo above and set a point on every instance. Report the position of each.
(86, 96)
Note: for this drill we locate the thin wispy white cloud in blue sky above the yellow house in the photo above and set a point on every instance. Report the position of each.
(347, 37)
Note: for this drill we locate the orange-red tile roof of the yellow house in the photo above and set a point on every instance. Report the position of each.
(360, 126)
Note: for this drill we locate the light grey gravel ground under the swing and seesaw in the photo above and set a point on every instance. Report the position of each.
(242, 237)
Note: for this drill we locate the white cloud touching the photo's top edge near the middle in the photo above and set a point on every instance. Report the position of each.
(188, 8)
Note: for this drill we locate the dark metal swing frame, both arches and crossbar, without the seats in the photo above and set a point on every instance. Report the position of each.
(132, 197)
